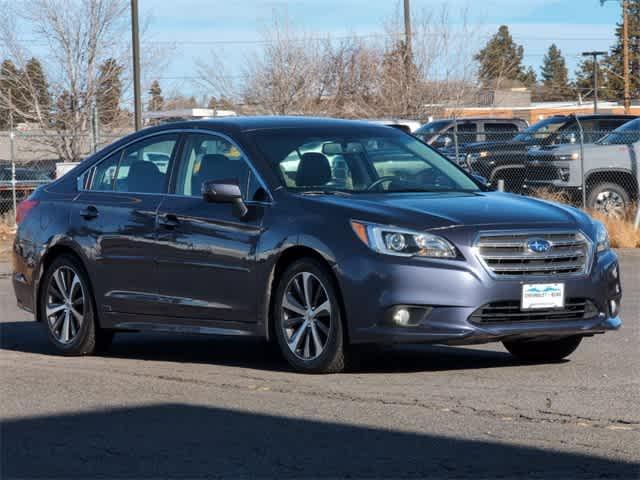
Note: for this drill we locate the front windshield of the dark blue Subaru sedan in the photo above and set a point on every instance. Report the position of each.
(352, 161)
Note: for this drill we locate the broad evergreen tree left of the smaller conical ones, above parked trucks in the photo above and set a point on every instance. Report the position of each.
(500, 59)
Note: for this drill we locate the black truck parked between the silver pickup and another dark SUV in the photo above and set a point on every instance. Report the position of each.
(506, 160)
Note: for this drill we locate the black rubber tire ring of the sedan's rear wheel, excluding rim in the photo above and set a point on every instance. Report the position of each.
(84, 342)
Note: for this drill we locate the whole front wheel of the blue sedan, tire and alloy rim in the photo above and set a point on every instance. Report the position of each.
(316, 334)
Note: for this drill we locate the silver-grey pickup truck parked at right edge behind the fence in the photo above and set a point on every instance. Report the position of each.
(610, 170)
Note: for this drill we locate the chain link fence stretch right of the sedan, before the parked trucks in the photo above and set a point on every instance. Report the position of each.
(593, 169)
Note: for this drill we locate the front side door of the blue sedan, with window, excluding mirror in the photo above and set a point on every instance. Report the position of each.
(206, 263)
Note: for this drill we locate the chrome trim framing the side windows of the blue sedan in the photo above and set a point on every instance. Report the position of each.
(213, 133)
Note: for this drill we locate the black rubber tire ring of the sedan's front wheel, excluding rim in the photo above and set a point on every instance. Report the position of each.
(331, 357)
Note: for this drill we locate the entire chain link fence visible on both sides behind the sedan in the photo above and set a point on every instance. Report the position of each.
(596, 170)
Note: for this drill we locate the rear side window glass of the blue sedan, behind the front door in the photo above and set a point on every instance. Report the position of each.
(141, 168)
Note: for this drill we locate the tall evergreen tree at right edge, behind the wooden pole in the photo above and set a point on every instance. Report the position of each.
(614, 62)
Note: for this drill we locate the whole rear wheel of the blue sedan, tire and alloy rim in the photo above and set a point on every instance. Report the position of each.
(69, 317)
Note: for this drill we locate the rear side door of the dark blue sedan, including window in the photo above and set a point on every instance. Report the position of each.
(116, 215)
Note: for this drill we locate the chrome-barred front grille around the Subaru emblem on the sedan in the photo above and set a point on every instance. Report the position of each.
(508, 255)
